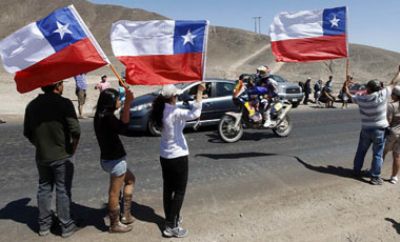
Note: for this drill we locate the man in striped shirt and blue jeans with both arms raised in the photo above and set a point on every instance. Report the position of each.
(373, 112)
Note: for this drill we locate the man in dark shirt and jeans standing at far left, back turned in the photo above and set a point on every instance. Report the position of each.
(52, 127)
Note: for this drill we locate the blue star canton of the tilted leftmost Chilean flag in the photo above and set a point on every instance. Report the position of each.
(61, 28)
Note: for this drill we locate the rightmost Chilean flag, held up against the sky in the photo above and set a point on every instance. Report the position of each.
(309, 35)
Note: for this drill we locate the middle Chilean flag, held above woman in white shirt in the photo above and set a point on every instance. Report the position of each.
(162, 51)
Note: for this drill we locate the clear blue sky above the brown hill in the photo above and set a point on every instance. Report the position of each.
(370, 22)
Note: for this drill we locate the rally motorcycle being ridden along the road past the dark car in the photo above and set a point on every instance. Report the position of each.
(232, 124)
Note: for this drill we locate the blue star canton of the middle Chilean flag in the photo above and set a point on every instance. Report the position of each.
(189, 36)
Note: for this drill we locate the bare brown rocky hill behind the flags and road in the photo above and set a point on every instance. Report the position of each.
(230, 51)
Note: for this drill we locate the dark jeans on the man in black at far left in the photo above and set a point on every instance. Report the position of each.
(56, 174)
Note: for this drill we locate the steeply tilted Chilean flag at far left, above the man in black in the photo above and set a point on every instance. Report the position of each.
(54, 48)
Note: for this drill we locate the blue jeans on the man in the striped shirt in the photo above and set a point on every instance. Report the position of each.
(376, 137)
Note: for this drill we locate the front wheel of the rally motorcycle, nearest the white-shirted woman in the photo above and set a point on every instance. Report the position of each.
(227, 130)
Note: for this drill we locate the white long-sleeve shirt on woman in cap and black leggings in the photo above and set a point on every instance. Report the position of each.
(173, 143)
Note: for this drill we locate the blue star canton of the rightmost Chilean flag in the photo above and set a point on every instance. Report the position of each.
(334, 21)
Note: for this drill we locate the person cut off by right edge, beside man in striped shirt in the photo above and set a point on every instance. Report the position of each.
(393, 137)
